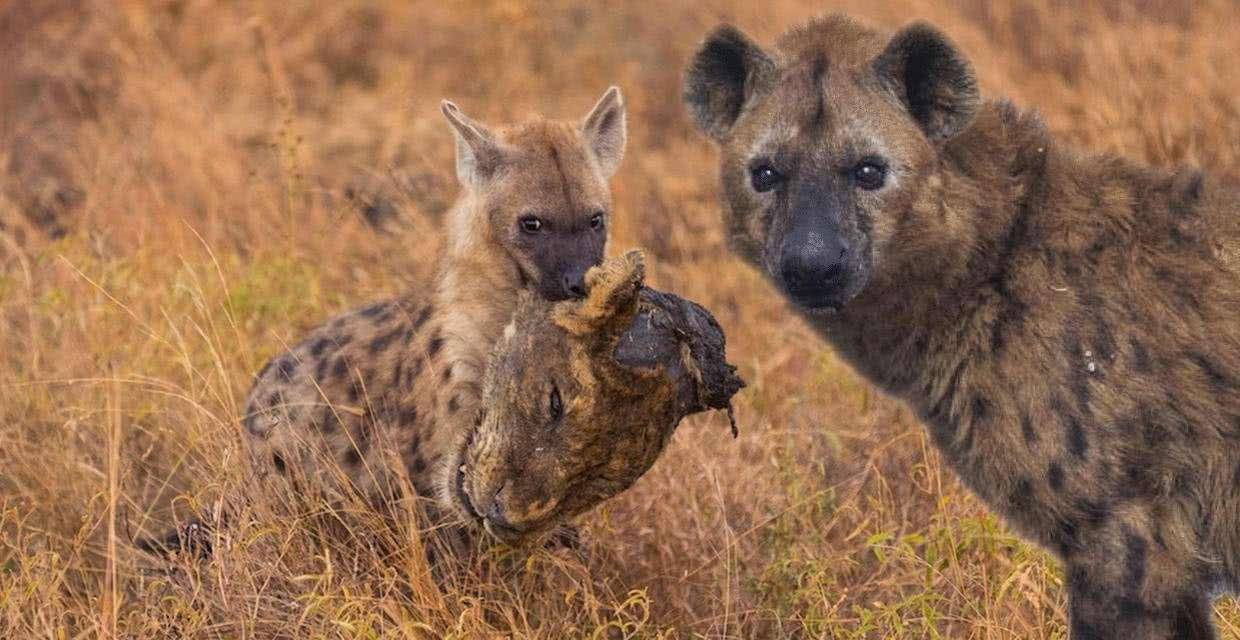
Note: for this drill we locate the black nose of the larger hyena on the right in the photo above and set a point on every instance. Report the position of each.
(814, 269)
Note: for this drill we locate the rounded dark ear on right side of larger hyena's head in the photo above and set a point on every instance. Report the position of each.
(932, 79)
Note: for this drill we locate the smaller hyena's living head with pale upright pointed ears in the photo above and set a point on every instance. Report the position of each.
(541, 189)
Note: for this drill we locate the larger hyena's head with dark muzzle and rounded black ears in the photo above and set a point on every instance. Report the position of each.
(826, 142)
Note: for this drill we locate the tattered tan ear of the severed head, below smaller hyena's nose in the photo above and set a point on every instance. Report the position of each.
(613, 293)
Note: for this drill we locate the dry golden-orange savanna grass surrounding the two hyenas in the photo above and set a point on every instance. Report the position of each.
(188, 187)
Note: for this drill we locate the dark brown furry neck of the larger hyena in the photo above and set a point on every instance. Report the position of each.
(917, 329)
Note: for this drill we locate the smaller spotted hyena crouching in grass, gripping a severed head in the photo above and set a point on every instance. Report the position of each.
(400, 381)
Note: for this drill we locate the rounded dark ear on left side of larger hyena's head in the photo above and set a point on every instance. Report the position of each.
(725, 75)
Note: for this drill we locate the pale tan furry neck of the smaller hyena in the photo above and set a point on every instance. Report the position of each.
(476, 293)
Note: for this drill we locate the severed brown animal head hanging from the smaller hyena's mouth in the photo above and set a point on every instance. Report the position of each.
(581, 398)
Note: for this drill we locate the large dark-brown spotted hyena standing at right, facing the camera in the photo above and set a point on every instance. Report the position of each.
(1066, 324)
